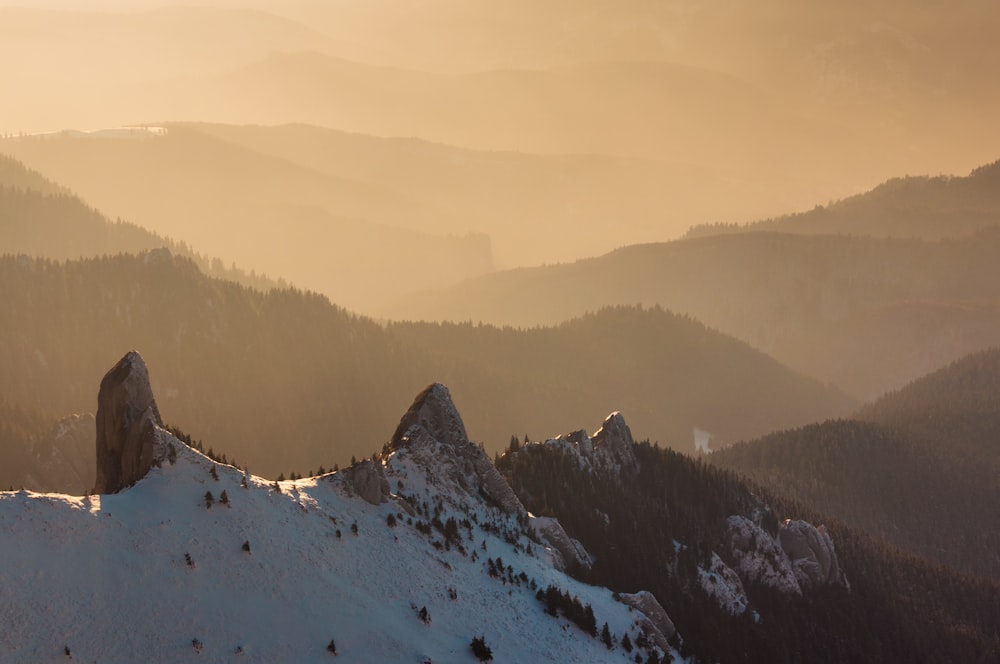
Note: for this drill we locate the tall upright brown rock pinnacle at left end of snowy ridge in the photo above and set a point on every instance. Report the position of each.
(127, 421)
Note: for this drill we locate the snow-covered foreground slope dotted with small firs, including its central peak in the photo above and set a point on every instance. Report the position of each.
(406, 557)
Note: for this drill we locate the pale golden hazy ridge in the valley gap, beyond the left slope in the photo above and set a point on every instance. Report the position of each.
(532, 206)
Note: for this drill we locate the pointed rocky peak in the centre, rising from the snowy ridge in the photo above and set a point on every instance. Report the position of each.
(433, 431)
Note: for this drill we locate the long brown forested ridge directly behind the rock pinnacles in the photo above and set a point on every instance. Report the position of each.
(226, 351)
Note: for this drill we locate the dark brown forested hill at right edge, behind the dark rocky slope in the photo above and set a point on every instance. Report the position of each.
(939, 502)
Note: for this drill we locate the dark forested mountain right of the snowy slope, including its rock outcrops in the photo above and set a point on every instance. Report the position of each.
(727, 557)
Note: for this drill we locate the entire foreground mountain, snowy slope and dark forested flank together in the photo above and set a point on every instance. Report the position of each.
(393, 558)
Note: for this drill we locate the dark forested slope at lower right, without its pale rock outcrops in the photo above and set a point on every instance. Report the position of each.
(898, 608)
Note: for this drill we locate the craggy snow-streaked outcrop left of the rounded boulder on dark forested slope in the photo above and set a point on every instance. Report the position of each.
(758, 557)
